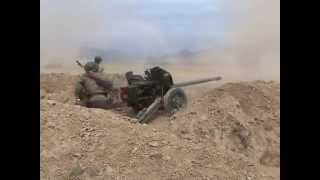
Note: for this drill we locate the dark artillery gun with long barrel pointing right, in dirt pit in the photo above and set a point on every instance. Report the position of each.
(156, 90)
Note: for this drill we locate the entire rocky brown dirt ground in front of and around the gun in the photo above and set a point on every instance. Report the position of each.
(229, 132)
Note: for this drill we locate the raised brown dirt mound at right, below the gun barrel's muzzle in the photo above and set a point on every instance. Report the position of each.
(240, 118)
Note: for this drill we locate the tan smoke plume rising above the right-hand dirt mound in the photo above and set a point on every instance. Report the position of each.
(255, 41)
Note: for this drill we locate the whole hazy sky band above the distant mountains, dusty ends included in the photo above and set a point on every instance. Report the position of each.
(250, 28)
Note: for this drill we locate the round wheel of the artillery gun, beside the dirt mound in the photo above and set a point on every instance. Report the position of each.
(174, 100)
